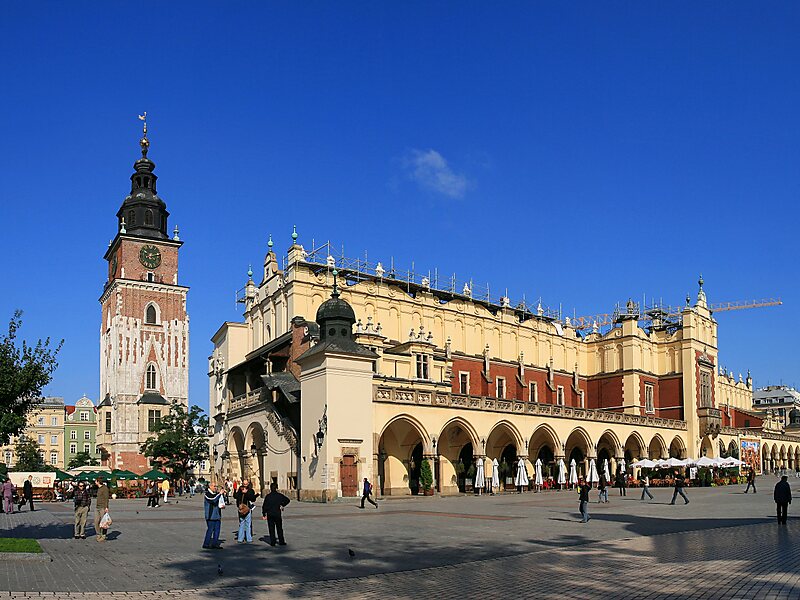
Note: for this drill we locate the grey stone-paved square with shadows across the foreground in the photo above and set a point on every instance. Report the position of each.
(723, 545)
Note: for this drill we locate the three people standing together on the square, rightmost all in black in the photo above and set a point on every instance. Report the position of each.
(245, 501)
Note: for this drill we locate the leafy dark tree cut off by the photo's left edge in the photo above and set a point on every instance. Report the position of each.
(24, 371)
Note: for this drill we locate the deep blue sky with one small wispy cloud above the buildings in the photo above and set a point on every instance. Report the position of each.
(581, 152)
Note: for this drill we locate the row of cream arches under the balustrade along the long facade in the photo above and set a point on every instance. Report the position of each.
(453, 442)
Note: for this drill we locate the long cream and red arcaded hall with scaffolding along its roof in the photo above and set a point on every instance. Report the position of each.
(332, 379)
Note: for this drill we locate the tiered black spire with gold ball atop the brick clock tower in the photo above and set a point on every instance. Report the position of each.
(143, 212)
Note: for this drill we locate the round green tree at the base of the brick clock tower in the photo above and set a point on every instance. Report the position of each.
(181, 439)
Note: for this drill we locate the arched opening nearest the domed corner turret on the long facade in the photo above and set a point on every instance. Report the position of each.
(400, 453)
